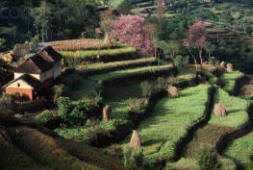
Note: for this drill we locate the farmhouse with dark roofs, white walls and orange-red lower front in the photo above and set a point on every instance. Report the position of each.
(35, 74)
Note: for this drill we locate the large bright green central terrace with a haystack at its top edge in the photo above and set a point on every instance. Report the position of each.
(169, 117)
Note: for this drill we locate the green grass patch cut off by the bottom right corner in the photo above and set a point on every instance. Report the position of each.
(241, 150)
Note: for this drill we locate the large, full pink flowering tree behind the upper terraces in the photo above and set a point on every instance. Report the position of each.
(132, 30)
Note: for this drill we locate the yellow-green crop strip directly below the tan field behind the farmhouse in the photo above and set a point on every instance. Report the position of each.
(95, 53)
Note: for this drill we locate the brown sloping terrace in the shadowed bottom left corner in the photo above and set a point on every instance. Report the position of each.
(46, 150)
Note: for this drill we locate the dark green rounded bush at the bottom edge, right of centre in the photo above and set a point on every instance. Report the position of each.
(208, 158)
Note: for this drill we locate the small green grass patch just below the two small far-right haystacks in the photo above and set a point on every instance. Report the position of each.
(230, 80)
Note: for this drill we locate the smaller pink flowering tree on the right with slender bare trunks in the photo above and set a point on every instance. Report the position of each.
(197, 38)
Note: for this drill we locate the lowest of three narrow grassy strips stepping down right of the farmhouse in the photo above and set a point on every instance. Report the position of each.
(131, 72)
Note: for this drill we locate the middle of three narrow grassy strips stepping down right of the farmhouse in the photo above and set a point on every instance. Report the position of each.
(111, 66)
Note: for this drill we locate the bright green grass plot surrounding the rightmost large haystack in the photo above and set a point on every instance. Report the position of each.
(236, 110)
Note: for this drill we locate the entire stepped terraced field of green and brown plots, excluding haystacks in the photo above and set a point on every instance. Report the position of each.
(171, 129)
